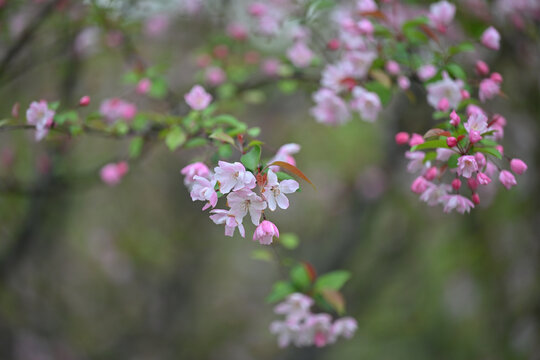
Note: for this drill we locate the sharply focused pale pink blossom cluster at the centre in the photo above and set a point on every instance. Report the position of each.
(247, 193)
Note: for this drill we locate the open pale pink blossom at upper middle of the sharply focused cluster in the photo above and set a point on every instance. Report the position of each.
(233, 177)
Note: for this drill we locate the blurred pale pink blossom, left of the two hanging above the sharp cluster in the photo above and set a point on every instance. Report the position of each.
(330, 109)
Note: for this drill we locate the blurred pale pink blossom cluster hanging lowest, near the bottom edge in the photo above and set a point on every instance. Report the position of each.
(304, 328)
